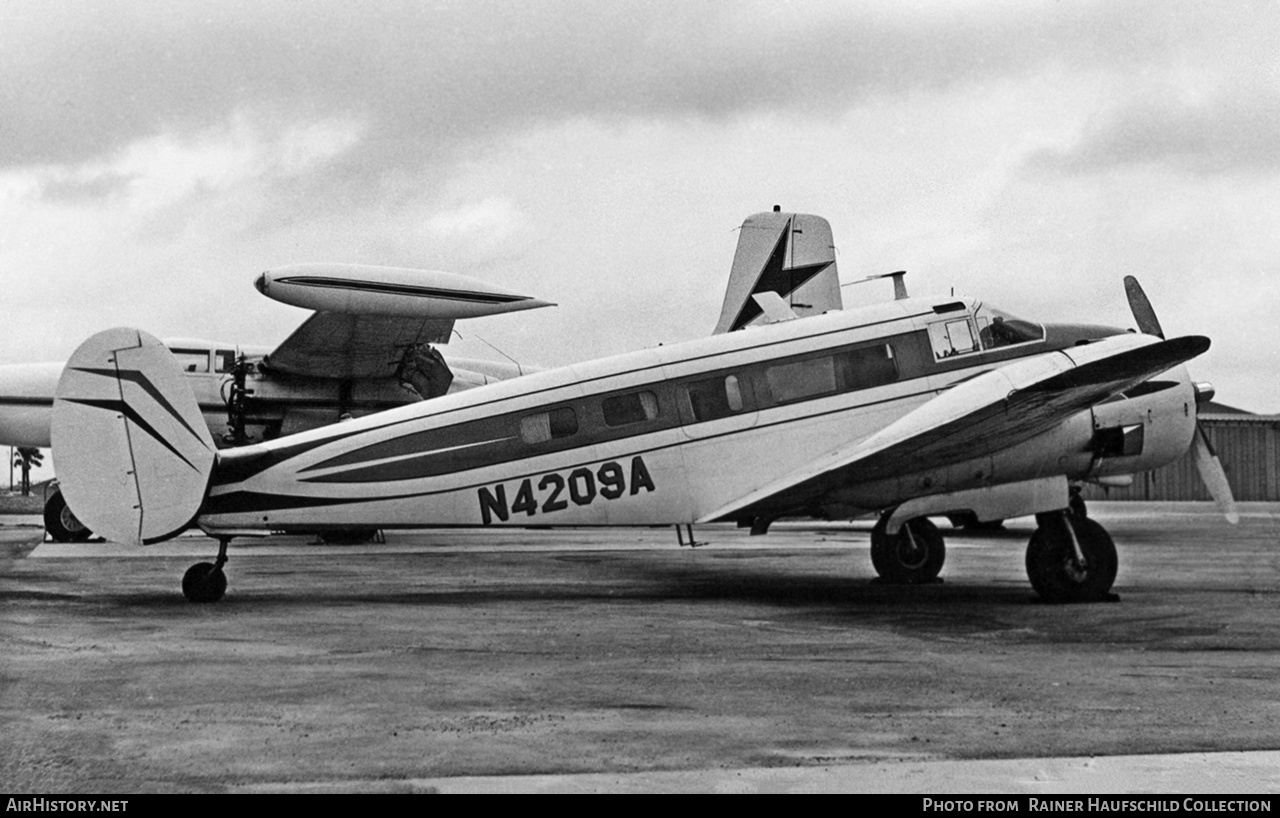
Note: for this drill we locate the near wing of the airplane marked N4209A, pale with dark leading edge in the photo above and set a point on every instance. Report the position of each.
(990, 413)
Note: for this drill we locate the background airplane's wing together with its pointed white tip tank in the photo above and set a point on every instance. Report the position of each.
(368, 316)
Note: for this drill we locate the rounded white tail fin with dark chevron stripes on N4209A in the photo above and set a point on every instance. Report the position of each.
(131, 449)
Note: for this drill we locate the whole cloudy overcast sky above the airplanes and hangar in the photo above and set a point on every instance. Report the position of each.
(157, 157)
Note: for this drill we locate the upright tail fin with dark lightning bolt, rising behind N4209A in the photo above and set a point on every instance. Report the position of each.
(790, 254)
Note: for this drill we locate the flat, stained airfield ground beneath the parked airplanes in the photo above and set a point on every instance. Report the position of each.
(442, 656)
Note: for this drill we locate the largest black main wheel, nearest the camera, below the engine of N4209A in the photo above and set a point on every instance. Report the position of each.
(1072, 559)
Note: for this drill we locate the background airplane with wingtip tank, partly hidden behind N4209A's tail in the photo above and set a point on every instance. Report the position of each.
(369, 346)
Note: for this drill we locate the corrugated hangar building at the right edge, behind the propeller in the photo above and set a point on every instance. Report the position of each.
(1247, 445)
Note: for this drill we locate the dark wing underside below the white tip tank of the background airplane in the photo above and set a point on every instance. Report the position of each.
(335, 345)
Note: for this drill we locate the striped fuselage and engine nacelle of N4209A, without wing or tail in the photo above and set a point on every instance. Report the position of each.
(671, 435)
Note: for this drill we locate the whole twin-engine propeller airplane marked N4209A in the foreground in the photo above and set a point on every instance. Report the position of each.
(915, 408)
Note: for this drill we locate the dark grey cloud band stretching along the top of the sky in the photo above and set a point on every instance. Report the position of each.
(432, 79)
